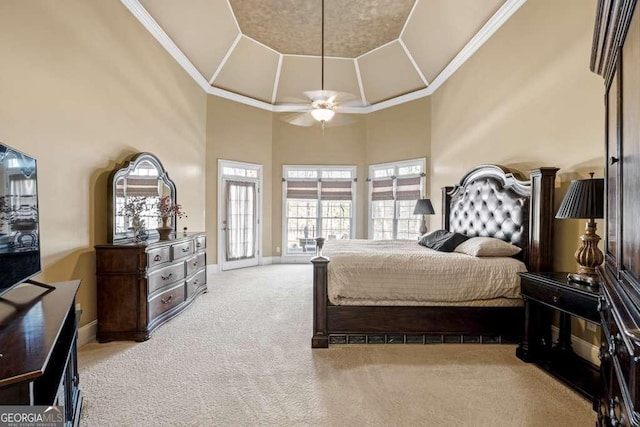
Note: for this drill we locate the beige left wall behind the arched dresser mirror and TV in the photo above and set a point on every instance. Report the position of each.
(83, 86)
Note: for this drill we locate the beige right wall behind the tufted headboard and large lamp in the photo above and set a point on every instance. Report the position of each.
(526, 99)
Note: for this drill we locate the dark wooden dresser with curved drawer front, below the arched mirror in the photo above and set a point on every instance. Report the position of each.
(143, 285)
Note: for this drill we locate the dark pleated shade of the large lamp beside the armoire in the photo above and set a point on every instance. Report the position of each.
(584, 199)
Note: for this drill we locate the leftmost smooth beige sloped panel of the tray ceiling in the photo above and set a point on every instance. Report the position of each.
(203, 30)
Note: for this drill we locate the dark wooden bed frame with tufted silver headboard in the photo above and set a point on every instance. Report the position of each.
(426, 324)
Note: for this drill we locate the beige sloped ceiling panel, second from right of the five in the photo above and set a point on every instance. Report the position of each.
(387, 73)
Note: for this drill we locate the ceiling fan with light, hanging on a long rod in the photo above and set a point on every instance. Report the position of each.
(323, 103)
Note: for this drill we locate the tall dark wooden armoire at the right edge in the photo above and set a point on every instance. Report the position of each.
(616, 56)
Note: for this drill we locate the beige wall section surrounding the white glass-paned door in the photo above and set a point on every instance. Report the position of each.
(240, 133)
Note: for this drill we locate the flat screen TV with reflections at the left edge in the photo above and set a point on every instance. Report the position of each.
(19, 231)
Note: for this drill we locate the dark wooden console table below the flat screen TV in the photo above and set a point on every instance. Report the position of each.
(38, 343)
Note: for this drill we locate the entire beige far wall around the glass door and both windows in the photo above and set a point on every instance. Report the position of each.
(242, 133)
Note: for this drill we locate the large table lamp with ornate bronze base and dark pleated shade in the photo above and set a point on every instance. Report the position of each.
(585, 200)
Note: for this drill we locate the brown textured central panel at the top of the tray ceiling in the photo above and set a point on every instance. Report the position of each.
(352, 27)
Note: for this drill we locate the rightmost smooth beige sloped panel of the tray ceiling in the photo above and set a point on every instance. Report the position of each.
(450, 24)
